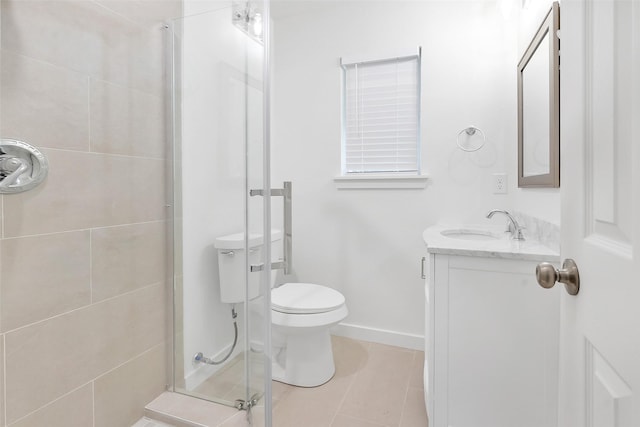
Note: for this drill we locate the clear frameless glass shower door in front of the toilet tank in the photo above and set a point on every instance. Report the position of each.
(221, 303)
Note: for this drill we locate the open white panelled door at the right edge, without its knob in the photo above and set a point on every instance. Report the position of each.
(600, 184)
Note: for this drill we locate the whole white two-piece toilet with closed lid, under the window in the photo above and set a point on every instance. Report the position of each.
(301, 313)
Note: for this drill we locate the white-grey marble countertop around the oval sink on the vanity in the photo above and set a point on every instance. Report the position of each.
(500, 247)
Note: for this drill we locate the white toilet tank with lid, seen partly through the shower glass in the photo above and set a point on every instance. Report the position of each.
(232, 268)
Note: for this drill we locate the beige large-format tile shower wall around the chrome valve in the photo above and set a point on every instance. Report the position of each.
(83, 293)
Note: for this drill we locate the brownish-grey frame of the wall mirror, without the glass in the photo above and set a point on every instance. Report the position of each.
(551, 26)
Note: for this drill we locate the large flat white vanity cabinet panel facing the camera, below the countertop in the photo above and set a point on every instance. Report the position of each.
(496, 349)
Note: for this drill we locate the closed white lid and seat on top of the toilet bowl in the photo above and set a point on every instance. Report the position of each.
(305, 298)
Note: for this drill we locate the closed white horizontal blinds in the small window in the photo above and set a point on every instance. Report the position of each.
(381, 117)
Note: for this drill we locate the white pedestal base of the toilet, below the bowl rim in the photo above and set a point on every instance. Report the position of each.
(303, 358)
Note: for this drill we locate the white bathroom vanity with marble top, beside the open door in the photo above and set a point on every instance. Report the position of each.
(491, 331)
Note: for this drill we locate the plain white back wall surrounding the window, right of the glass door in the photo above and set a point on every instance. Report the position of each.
(367, 243)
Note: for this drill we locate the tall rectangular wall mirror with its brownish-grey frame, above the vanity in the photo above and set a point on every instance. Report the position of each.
(539, 107)
